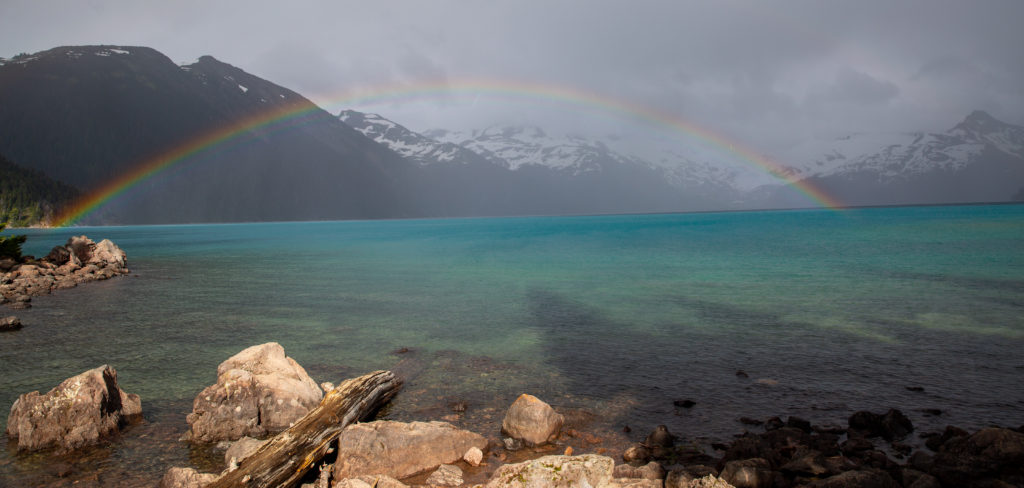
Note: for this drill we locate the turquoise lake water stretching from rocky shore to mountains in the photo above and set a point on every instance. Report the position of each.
(609, 319)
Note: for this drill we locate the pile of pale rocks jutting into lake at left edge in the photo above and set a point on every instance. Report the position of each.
(79, 261)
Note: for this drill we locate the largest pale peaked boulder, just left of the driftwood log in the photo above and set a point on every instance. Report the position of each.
(260, 391)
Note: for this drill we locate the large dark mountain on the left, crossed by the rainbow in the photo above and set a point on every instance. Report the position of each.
(87, 116)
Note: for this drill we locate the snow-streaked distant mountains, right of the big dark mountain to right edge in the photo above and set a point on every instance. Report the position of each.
(979, 160)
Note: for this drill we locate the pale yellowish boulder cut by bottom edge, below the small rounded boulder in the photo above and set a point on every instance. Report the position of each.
(556, 472)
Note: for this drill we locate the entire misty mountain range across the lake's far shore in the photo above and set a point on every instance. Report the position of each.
(88, 116)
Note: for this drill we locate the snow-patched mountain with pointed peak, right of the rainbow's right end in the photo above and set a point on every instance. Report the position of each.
(979, 160)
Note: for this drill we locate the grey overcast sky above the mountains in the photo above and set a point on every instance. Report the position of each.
(767, 74)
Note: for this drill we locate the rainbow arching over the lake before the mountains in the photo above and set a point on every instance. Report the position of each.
(289, 114)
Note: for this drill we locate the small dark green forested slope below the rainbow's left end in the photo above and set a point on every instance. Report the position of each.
(30, 198)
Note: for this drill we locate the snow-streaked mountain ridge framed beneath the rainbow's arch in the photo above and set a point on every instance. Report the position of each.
(527, 171)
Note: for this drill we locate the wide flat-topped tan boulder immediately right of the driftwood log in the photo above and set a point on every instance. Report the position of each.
(401, 450)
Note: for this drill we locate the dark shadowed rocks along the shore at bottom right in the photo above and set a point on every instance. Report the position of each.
(796, 455)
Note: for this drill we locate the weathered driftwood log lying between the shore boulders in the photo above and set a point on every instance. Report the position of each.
(286, 458)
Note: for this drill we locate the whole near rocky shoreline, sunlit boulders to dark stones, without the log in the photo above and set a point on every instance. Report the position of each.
(262, 392)
